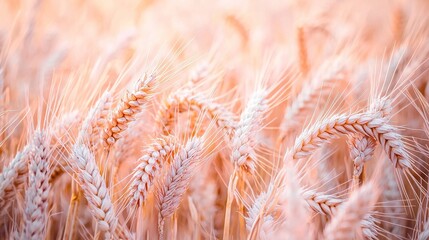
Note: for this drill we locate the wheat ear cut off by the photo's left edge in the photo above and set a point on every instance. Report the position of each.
(12, 178)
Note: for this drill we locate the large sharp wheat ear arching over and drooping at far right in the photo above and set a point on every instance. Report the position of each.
(364, 123)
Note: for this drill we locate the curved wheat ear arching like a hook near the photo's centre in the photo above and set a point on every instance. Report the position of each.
(184, 101)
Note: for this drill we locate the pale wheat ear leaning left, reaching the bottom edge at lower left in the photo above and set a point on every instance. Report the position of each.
(95, 190)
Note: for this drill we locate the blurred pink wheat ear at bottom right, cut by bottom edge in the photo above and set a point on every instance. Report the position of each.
(347, 220)
